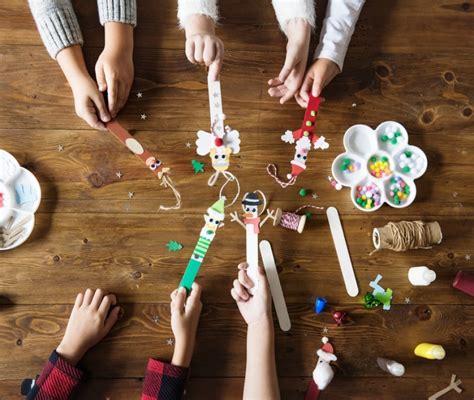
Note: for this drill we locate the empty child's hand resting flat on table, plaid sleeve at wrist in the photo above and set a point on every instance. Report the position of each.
(89, 322)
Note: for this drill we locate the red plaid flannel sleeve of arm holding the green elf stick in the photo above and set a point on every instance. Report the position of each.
(164, 381)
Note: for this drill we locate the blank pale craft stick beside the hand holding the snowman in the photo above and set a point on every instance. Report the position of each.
(275, 285)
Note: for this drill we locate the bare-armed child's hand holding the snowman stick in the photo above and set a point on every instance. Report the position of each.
(257, 307)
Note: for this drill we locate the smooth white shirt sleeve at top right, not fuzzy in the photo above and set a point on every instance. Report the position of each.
(337, 30)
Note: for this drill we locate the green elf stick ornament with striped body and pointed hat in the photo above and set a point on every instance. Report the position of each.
(213, 220)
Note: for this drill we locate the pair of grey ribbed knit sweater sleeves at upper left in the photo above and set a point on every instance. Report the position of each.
(58, 26)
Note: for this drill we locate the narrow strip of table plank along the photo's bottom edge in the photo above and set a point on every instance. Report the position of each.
(342, 388)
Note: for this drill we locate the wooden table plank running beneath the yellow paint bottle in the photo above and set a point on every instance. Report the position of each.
(29, 333)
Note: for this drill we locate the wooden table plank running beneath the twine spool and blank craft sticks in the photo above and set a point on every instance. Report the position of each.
(127, 255)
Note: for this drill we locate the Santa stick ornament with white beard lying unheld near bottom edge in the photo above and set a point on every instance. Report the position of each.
(323, 373)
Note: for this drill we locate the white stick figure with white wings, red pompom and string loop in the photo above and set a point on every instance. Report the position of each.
(220, 142)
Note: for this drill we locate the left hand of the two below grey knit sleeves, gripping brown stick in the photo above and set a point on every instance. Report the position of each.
(89, 102)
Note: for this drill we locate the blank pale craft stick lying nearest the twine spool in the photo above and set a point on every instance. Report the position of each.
(342, 252)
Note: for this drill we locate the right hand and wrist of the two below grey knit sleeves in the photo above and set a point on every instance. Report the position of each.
(114, 67)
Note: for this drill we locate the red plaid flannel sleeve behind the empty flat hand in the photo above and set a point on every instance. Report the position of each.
(58, 380)
